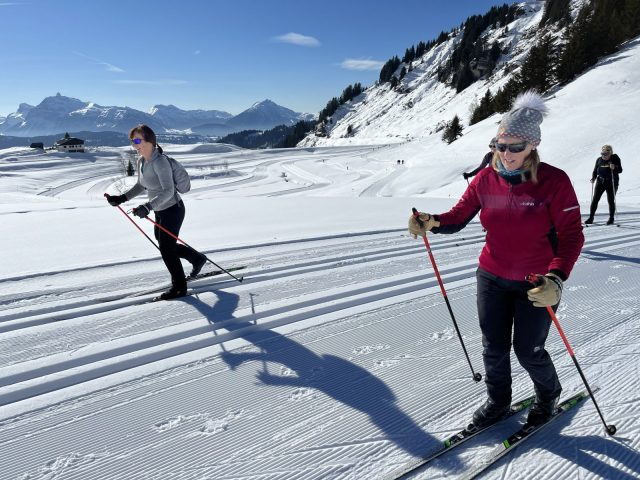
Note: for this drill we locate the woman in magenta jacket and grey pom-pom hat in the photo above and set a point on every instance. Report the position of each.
(531, 214)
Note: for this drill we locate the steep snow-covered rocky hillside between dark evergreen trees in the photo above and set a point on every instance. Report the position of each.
(416, 108)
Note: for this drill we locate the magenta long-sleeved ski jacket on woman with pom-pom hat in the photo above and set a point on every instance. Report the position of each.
(531, 227)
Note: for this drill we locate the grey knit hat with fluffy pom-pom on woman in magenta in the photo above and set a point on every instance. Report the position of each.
(524, 119)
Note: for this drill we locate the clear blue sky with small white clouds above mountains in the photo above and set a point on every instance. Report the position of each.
(222, 55)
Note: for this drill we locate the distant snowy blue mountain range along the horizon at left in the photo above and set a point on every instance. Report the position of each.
(60, 113)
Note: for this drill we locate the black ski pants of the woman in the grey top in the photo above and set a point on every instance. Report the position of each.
(171, 218)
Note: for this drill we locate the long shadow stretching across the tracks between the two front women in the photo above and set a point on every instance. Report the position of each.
(336, 377)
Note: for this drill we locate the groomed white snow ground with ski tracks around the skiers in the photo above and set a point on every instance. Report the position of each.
(336, 357)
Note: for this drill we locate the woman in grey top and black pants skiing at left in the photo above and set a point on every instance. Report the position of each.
(156, 177)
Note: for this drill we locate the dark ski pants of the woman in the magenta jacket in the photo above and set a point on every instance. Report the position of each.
(506, 315)
